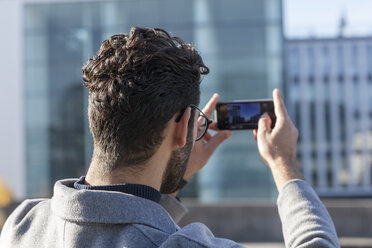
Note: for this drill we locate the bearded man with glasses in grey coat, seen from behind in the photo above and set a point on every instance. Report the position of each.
(150, 137)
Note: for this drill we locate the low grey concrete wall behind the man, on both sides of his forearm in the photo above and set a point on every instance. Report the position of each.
(259, 222)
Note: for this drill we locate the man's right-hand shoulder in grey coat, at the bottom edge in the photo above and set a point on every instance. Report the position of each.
(197, 235)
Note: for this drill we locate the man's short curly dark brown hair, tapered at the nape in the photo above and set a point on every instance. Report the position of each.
(136, 84)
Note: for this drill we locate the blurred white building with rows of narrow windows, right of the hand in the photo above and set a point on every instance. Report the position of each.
(329, 96)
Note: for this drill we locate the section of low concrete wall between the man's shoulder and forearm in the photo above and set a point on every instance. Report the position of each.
(241, 222)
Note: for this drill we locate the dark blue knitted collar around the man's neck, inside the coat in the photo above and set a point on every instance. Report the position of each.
(139, 190)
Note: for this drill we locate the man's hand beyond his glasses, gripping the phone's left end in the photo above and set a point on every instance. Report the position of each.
(204, 148)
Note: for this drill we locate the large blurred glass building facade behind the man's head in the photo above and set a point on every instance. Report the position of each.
(241, 42)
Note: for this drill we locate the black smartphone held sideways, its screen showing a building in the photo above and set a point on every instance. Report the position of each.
(240, 115)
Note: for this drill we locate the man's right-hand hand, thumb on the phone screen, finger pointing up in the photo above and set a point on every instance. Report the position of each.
(277, 146)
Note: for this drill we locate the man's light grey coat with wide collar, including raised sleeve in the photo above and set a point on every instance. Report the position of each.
(94, 218)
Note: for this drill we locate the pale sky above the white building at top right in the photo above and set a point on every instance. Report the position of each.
(321, 18)
